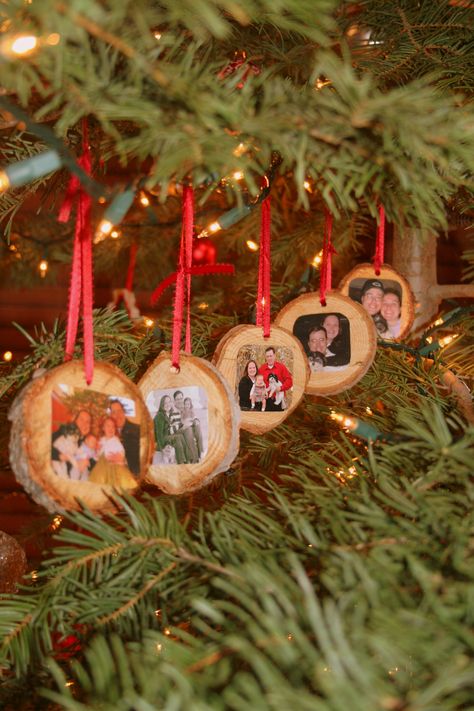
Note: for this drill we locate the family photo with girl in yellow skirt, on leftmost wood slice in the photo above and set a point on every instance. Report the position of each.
(95, 437)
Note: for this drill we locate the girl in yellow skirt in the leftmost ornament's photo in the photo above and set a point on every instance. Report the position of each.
(111, 467)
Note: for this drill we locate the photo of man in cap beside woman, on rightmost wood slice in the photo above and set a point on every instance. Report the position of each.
(382, 299)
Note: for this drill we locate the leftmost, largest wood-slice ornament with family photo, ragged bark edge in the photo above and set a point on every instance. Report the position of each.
(61, 437)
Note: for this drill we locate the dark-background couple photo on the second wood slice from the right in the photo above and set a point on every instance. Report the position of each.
(326, 340)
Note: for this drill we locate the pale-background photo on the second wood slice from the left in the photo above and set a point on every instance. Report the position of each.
(180, 421)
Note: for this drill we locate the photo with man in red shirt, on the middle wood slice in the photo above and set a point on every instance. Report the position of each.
(264, 378)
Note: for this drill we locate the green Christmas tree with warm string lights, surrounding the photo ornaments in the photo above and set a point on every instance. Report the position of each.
(326, 569)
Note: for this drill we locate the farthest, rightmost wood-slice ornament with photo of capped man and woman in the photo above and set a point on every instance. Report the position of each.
(387, 298)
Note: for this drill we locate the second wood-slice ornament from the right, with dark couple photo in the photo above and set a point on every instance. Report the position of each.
(338, 339)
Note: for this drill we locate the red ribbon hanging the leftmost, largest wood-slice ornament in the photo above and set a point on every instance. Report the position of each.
(81, 284)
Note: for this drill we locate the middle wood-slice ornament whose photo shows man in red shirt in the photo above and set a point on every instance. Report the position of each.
(267, 375)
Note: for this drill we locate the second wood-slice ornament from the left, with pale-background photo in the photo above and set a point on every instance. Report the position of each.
(205, 439)
